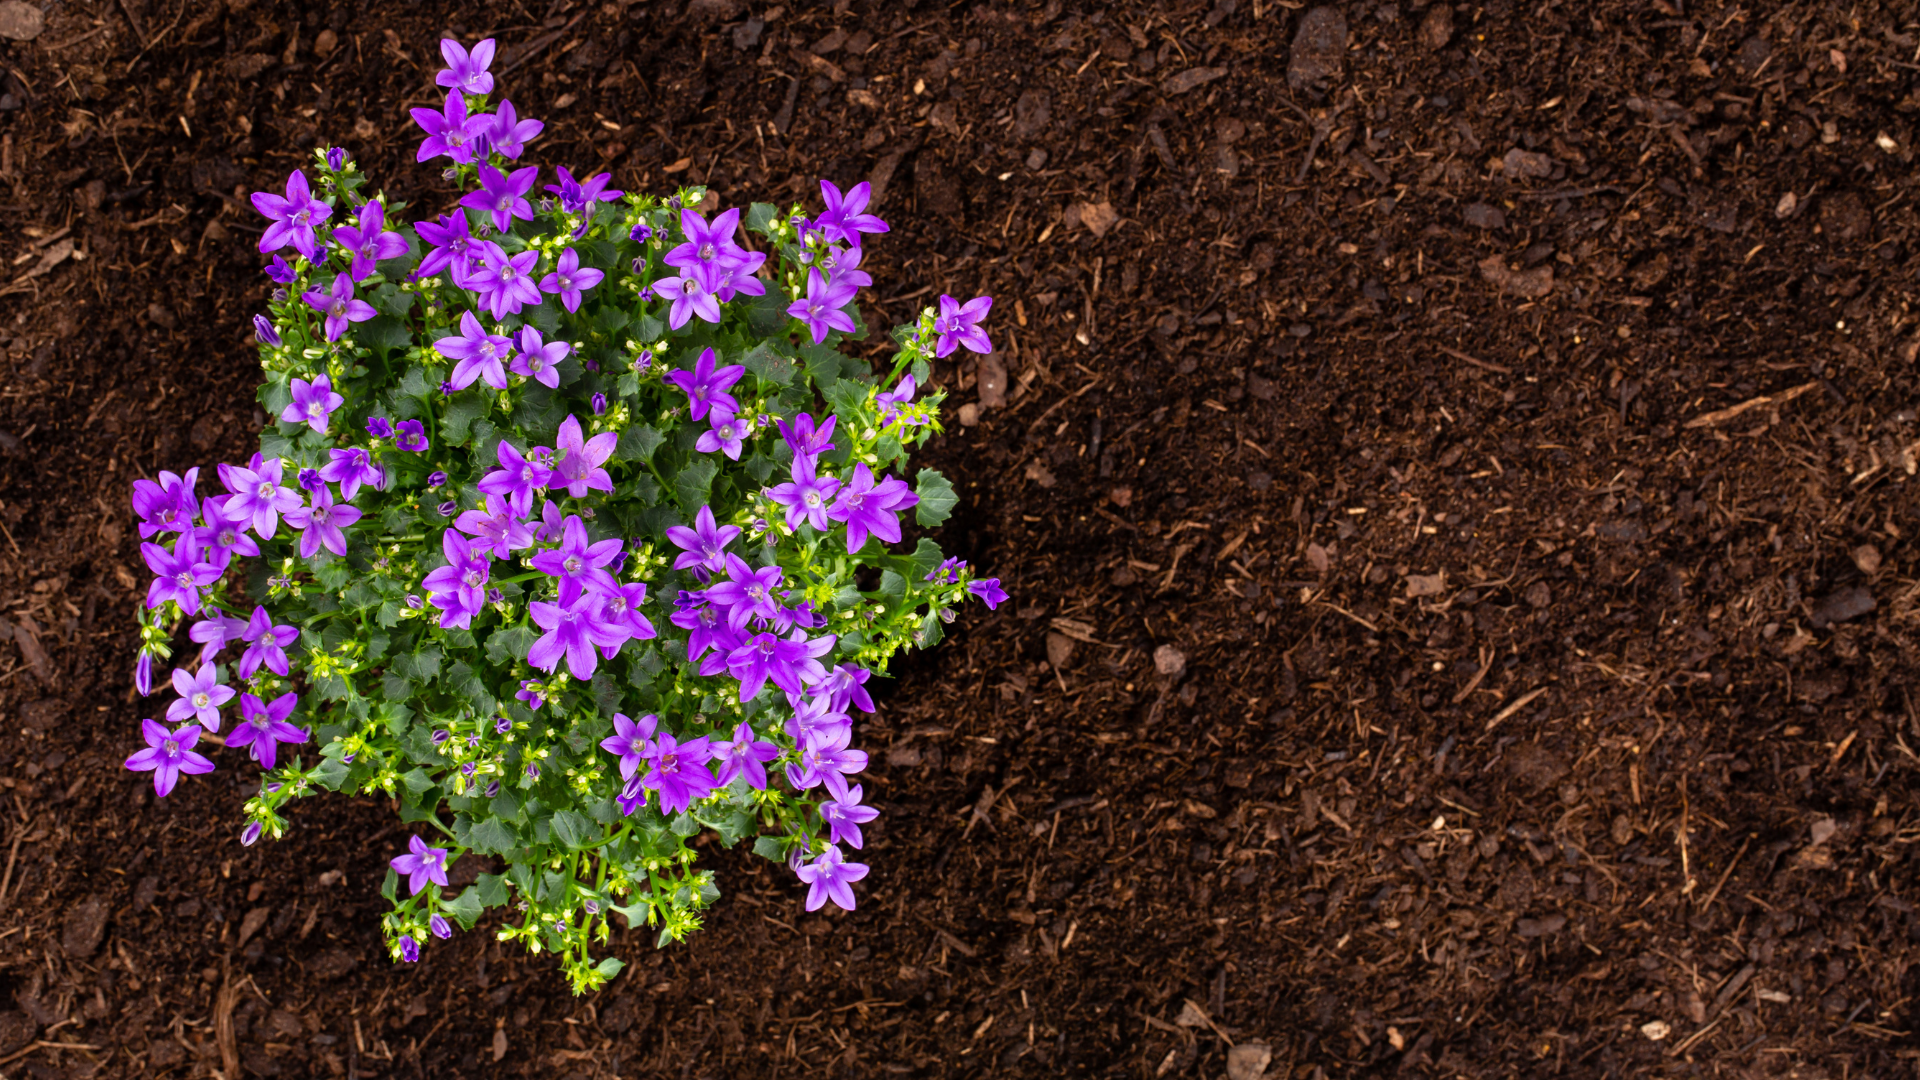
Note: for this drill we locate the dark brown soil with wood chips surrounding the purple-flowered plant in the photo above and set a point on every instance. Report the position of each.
(1454, 470)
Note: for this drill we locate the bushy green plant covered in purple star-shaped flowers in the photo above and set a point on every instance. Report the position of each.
(577, 535)
